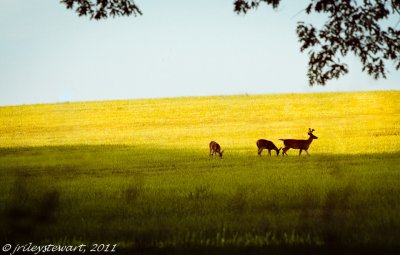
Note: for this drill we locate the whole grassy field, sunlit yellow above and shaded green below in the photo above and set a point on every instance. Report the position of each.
(137, 173)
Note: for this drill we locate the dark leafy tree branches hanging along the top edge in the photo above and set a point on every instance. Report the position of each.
(352, 26)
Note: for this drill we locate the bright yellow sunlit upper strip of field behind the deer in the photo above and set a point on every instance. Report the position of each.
(346, 123)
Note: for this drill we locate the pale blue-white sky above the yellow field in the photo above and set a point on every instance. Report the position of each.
(177, 48)
